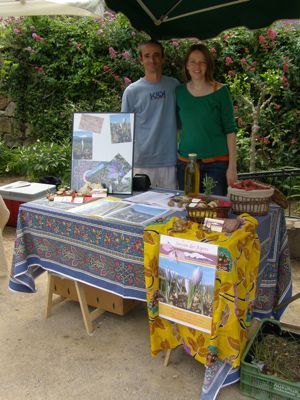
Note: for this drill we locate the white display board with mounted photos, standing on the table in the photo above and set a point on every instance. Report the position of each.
(102, 151)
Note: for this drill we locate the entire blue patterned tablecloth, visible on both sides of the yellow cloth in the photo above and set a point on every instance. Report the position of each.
(111, 256)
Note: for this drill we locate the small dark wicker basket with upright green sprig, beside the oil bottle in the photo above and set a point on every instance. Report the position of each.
(207, 206)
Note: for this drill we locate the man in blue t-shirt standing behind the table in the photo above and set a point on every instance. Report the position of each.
(152, 99)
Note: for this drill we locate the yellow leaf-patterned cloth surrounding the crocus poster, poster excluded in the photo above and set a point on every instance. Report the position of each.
(235, 287)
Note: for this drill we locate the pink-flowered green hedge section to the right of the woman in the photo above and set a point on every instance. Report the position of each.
(262, 71)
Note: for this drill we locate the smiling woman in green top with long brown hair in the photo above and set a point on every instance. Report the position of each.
(207, 122)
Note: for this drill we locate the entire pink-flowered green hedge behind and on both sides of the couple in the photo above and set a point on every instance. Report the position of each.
(53, 66)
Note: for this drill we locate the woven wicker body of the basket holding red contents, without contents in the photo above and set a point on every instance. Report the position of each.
(253, 202)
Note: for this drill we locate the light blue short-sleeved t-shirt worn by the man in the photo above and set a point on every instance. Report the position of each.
(154, 106)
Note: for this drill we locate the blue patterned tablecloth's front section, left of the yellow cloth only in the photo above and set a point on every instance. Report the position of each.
(99, 253)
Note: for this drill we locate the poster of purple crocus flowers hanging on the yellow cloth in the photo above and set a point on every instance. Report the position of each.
(187, 271)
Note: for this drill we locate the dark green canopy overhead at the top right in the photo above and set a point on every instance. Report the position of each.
(167, 19)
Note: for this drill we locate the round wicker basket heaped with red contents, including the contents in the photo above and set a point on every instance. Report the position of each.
(250, 197)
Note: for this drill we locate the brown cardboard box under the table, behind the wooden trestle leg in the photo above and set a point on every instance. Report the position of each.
(95, 297)
